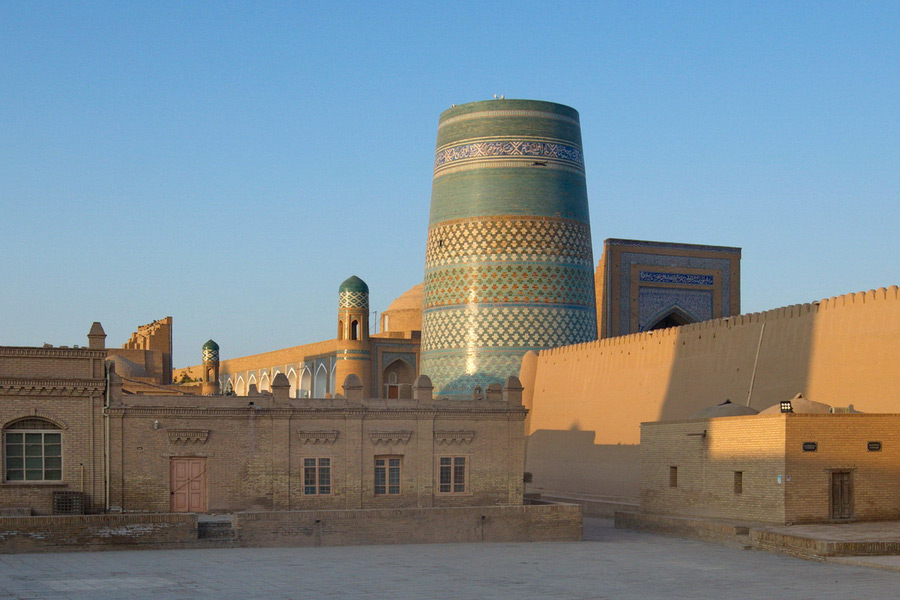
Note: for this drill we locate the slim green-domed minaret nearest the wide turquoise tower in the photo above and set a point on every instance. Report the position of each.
(354, 351)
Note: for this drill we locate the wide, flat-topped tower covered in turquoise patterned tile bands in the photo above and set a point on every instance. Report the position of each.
(508, 262)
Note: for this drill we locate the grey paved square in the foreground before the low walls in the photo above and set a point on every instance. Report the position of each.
(611, 563)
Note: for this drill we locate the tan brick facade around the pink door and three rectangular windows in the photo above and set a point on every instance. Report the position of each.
(254, 455)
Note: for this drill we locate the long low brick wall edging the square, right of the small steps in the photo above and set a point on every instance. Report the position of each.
(545, 523)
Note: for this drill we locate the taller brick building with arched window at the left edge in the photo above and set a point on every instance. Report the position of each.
(51, 414)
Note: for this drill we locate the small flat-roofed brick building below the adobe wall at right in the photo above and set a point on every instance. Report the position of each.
(776, 467)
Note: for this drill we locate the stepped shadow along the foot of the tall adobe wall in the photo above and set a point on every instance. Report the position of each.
(569, 461)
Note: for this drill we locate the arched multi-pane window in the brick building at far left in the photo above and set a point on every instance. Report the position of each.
(32, 451)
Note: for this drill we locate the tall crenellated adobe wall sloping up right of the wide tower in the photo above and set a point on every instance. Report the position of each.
(588, 400)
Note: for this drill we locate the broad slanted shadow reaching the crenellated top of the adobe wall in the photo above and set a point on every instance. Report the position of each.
(756, 359)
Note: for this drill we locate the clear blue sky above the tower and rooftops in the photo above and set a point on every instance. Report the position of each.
(230, 163)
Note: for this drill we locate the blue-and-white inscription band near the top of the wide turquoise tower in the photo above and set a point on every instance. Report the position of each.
(489, 150)
